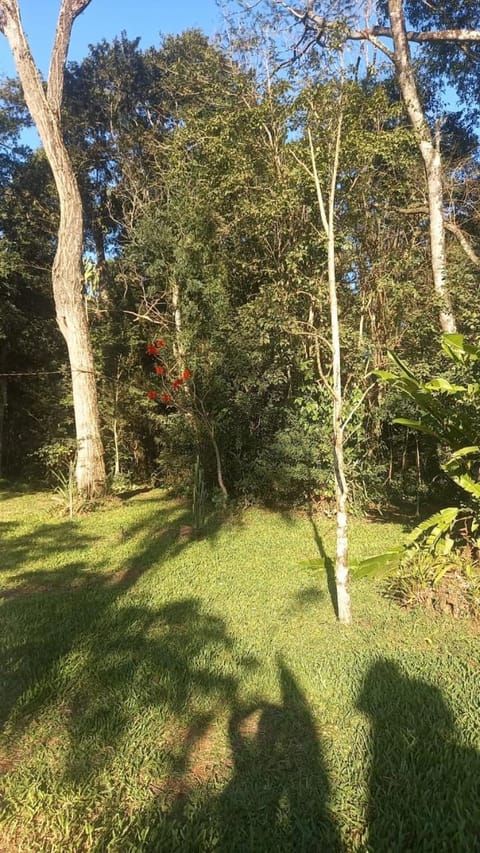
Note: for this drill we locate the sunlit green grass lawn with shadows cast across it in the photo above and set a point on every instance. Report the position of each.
(162, 694)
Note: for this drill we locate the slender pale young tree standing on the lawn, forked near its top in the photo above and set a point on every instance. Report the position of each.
(341, 490)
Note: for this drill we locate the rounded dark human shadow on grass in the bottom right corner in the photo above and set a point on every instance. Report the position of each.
(424, 783)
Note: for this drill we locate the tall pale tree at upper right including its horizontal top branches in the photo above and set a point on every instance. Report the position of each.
(318, 25)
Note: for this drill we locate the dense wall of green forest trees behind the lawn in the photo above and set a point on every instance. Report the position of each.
(205, 261)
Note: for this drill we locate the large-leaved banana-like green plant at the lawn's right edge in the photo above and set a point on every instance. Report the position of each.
(447, 415)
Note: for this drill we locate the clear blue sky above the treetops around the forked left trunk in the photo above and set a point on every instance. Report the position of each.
(106, 19)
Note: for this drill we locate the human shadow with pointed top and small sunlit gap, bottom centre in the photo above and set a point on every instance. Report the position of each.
(277, 799)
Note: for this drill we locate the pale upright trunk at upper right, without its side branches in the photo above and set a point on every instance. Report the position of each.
(430, 150)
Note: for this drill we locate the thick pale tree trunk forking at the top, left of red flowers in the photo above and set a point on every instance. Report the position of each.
(67, 275)
